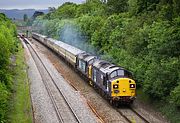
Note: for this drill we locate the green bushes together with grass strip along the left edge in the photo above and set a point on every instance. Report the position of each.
(12, 76)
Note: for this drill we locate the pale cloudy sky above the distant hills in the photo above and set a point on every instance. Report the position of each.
(33, 4)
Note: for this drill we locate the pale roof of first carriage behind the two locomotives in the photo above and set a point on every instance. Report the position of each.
(69, 48)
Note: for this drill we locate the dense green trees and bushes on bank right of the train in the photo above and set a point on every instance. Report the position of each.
(140, 35)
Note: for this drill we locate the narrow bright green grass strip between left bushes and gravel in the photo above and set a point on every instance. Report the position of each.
(20, 108)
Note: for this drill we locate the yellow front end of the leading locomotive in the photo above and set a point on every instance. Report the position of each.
(123, 88)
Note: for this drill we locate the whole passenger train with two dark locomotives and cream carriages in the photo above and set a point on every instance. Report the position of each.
(113, 82)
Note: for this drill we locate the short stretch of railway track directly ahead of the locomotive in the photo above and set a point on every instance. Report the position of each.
(131, 115)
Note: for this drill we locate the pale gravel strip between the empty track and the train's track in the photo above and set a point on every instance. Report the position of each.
(74, 98)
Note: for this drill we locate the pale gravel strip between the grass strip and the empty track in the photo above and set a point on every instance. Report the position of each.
(43, 111)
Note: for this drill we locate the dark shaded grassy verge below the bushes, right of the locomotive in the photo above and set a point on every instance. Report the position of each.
(171, 112)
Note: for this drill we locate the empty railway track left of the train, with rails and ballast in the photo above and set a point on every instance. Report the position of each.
(47, 78)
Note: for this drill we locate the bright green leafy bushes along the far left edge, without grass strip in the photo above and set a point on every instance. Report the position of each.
(7, 43)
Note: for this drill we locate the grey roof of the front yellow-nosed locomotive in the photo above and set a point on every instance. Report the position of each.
(105, 66)
